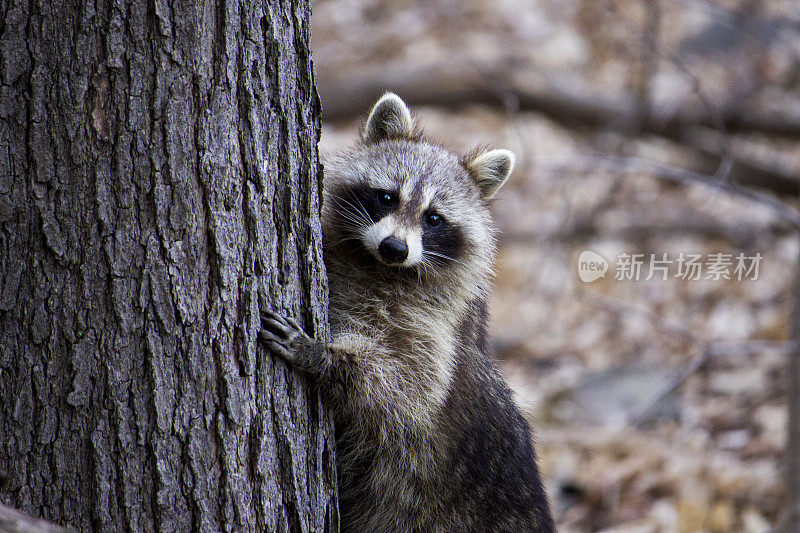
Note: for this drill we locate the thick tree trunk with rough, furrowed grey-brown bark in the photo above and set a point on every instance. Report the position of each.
(159, 182)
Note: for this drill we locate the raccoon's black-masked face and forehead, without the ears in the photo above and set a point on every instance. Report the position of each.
(407, 215)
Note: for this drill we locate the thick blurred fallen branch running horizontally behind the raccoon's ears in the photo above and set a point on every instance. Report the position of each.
(564, 97)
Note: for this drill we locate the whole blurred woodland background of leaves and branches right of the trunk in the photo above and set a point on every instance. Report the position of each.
(647, 132)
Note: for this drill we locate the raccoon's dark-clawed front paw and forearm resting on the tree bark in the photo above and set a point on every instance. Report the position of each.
(283, 337)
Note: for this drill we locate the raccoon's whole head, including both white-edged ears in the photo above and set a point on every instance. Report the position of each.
(407, 203)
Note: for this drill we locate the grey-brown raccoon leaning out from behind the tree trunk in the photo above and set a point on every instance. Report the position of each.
(428, 435)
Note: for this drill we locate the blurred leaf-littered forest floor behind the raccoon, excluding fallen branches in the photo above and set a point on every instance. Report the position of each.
(657, 404)
